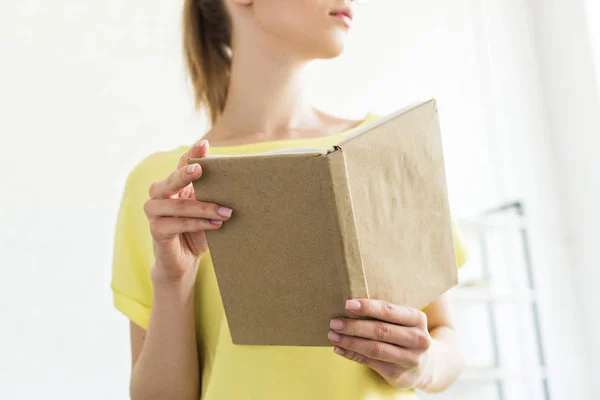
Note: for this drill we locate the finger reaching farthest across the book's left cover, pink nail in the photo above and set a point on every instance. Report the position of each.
(186, 208)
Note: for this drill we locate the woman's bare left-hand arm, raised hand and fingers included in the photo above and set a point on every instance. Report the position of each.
(165, 358)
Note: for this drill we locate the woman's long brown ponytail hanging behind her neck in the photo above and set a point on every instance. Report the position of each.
(207, 52)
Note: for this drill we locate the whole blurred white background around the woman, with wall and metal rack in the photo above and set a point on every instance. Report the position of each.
(88, 89)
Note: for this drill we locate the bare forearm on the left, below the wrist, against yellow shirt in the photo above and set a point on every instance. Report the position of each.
(167, 367)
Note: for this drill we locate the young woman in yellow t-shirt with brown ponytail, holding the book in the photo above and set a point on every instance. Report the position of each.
(246, 60)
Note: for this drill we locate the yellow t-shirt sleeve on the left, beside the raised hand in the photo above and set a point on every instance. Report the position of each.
(132, 251)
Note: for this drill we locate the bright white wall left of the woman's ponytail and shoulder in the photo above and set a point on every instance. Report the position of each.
(87, 90)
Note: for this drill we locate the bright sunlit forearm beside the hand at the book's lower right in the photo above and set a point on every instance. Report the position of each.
(444, 360)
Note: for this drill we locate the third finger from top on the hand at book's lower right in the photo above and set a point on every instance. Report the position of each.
(377, 350)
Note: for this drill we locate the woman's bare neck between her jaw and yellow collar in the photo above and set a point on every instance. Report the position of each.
(265, 95)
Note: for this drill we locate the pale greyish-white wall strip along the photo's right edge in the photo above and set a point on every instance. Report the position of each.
(567, 33)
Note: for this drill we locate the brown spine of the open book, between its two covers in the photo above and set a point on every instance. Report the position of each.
(344, 235)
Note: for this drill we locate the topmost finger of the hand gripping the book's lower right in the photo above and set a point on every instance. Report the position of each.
(386, 311)
